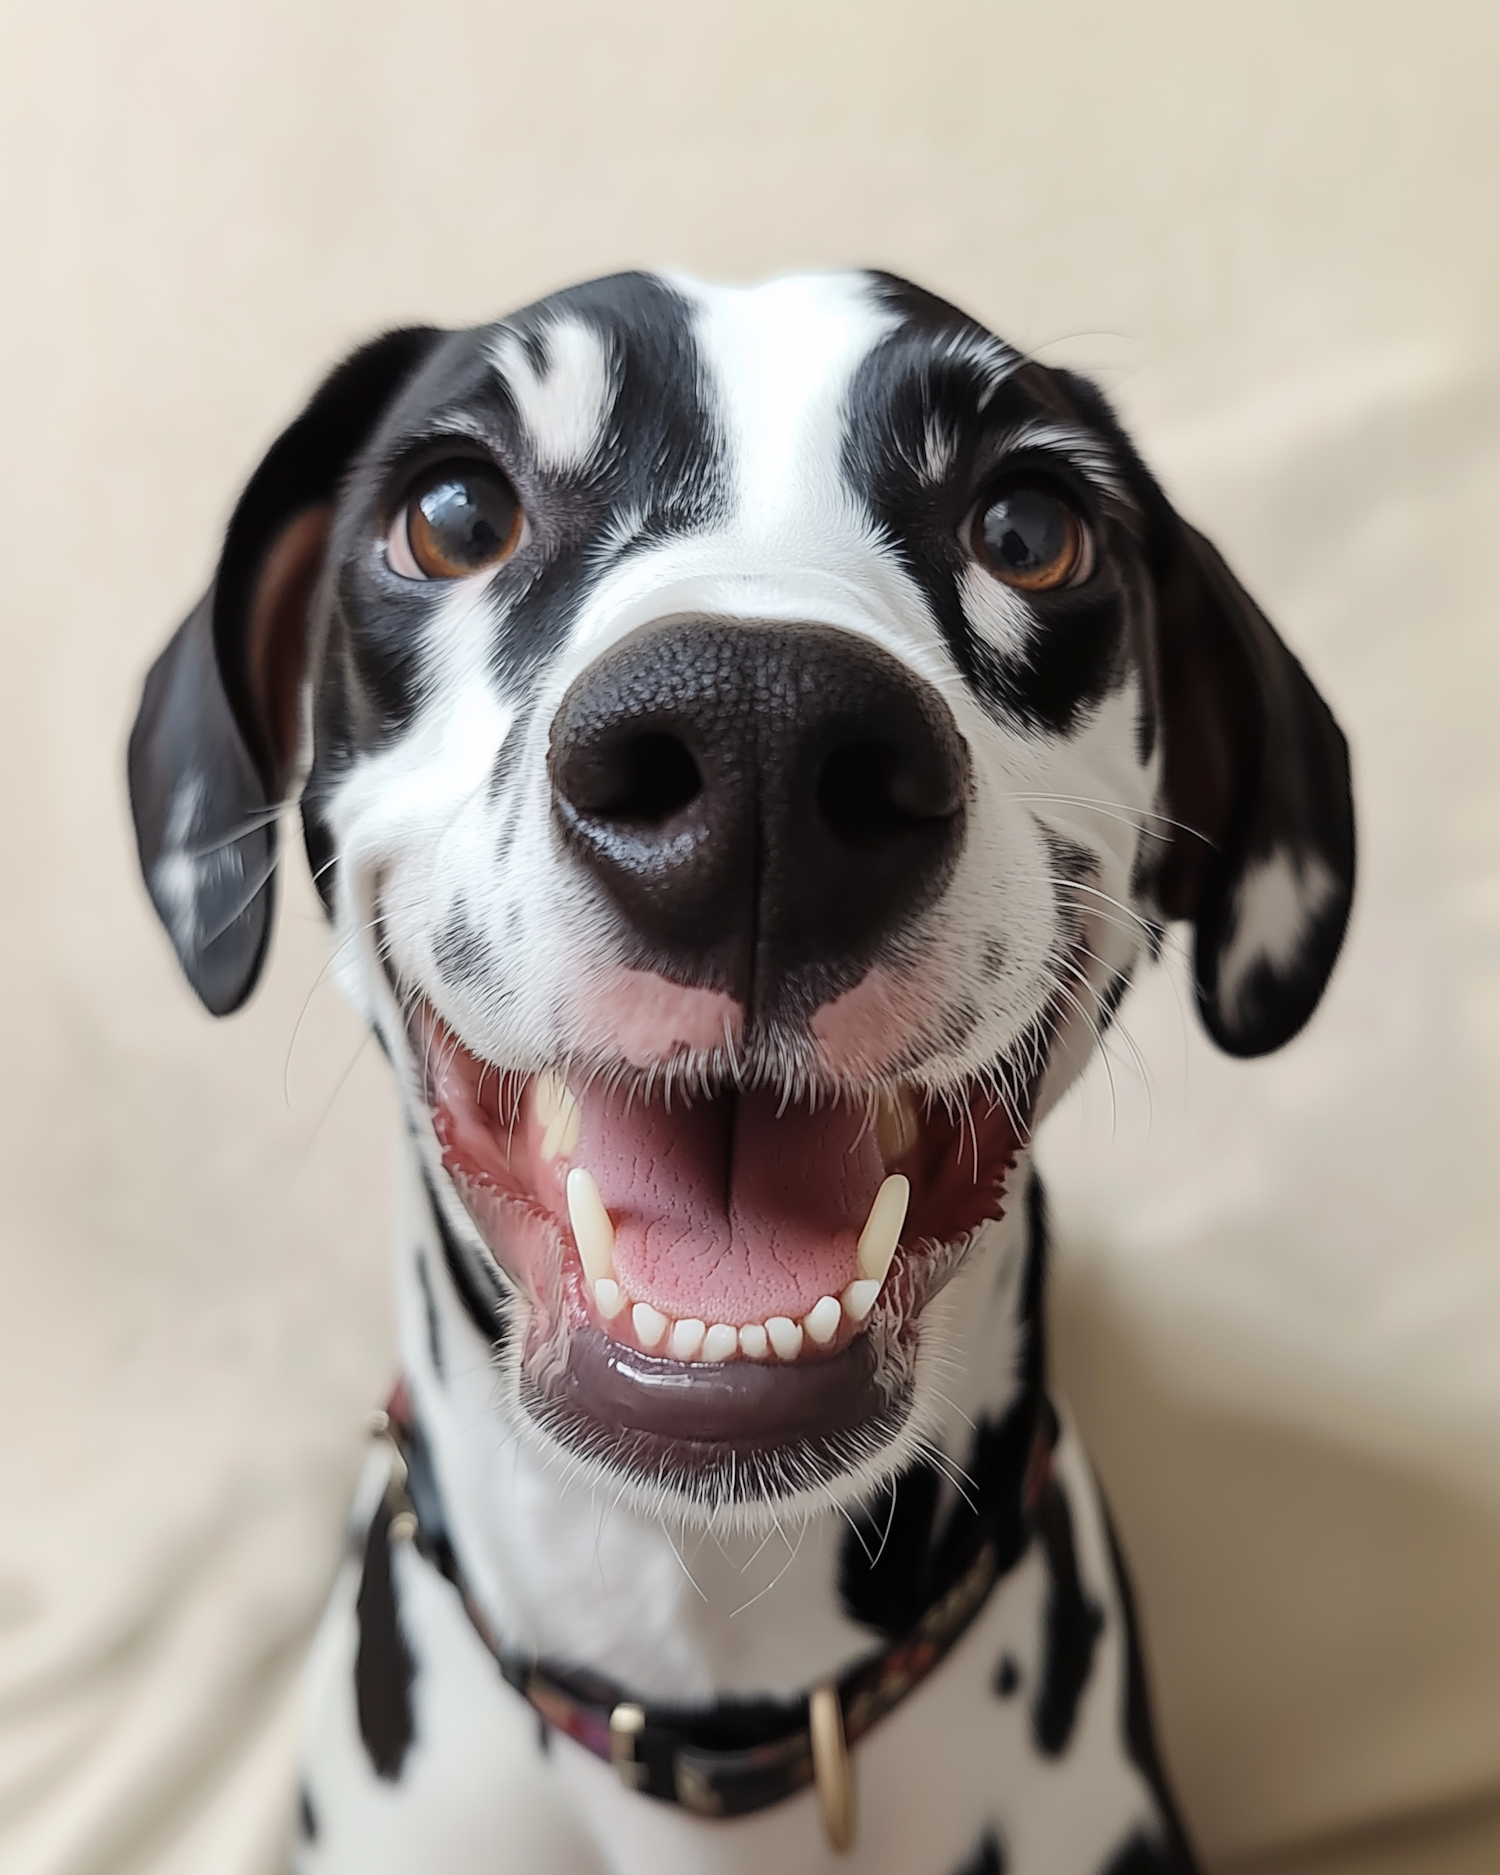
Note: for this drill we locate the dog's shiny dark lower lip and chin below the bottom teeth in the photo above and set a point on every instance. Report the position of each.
(676, 1422)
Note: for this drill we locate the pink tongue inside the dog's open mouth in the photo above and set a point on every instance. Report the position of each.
(727, 1212)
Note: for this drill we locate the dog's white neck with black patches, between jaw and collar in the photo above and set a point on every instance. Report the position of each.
(567, 1572)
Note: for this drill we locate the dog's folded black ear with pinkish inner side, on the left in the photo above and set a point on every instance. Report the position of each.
(218, 738)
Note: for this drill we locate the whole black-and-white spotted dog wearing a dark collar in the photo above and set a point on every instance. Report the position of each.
(745, 743)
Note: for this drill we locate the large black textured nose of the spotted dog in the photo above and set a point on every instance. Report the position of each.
(766, 805)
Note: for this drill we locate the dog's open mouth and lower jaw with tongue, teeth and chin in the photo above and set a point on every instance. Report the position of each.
(721, 1297)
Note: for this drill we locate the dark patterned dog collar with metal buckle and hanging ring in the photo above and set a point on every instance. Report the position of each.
(736, 1756)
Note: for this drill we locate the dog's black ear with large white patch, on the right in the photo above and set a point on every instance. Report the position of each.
(1257, 777)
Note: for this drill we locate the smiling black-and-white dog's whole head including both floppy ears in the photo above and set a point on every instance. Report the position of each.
(745, 740)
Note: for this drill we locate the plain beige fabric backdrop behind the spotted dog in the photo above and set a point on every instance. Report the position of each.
(1272, 232)
